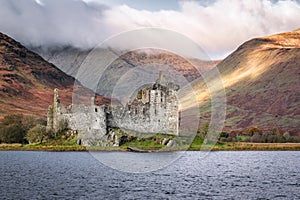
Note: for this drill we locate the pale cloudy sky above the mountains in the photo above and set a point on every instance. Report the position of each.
(218, 26)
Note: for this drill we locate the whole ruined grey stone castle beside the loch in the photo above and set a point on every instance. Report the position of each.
(153, 110)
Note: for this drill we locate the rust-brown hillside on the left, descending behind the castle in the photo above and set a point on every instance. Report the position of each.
(27, 80)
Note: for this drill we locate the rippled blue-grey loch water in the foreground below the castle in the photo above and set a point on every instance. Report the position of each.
(219, 175)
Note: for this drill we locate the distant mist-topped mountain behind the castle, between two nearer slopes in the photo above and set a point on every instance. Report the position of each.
(69, 60)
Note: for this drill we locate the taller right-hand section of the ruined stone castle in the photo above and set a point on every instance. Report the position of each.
(154, 110)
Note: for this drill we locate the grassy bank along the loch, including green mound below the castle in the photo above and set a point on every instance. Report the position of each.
(153, 143)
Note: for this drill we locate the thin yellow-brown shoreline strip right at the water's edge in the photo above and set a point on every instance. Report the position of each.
(237, 146)
